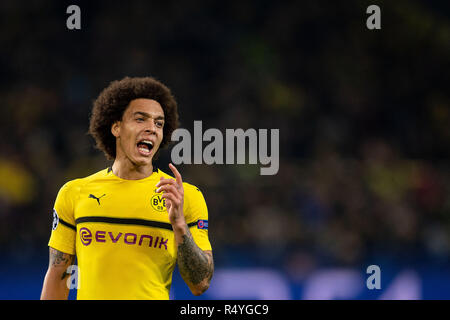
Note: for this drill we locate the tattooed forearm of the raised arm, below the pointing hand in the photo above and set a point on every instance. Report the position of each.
(196, 266)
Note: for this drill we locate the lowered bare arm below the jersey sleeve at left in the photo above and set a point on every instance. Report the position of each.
(55, 286)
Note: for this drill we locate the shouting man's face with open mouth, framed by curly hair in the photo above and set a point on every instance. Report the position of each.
(139, 134)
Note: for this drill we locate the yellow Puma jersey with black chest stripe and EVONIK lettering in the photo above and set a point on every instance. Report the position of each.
(120, 232)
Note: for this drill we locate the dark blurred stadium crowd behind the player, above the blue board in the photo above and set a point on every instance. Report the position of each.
(364, 120)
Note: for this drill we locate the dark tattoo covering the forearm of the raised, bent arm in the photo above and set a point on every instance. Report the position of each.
(194, 264)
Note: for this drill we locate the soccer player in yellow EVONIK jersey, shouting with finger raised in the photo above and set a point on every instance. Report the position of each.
(129, 224)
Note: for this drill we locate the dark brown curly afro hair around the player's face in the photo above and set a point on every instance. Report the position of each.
(112, 102)
